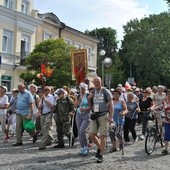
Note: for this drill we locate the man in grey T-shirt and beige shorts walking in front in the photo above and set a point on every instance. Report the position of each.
(103, 106)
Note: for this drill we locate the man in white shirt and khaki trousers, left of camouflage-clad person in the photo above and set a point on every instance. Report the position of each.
(46, 110)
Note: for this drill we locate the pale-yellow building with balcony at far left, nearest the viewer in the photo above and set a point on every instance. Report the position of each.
(17, 38)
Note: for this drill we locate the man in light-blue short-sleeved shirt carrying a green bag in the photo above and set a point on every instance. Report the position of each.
(24, 112)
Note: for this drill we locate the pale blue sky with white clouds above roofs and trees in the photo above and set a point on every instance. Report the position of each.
(91, 14)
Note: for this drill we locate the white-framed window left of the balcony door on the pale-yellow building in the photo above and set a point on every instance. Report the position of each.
(7, 41)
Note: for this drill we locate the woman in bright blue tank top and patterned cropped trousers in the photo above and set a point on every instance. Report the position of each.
(120, 110)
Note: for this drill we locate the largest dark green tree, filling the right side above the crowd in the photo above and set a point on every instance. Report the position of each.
(146, 47)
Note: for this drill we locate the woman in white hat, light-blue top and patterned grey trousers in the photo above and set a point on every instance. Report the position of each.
(82, 118)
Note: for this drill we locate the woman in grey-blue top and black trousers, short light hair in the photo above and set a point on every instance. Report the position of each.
(131, 117)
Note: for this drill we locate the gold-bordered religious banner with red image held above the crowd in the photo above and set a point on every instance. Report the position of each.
(79, 65)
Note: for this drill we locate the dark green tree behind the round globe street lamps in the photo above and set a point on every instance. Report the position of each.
(107, 37)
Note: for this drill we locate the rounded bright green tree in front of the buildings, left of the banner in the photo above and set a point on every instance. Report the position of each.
(54, 53)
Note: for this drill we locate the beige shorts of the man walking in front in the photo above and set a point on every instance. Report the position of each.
(100, 127)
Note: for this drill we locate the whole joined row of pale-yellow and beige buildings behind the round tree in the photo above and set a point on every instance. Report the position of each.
(22, 27)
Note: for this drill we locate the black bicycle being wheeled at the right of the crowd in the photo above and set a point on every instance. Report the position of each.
(154, 135)
